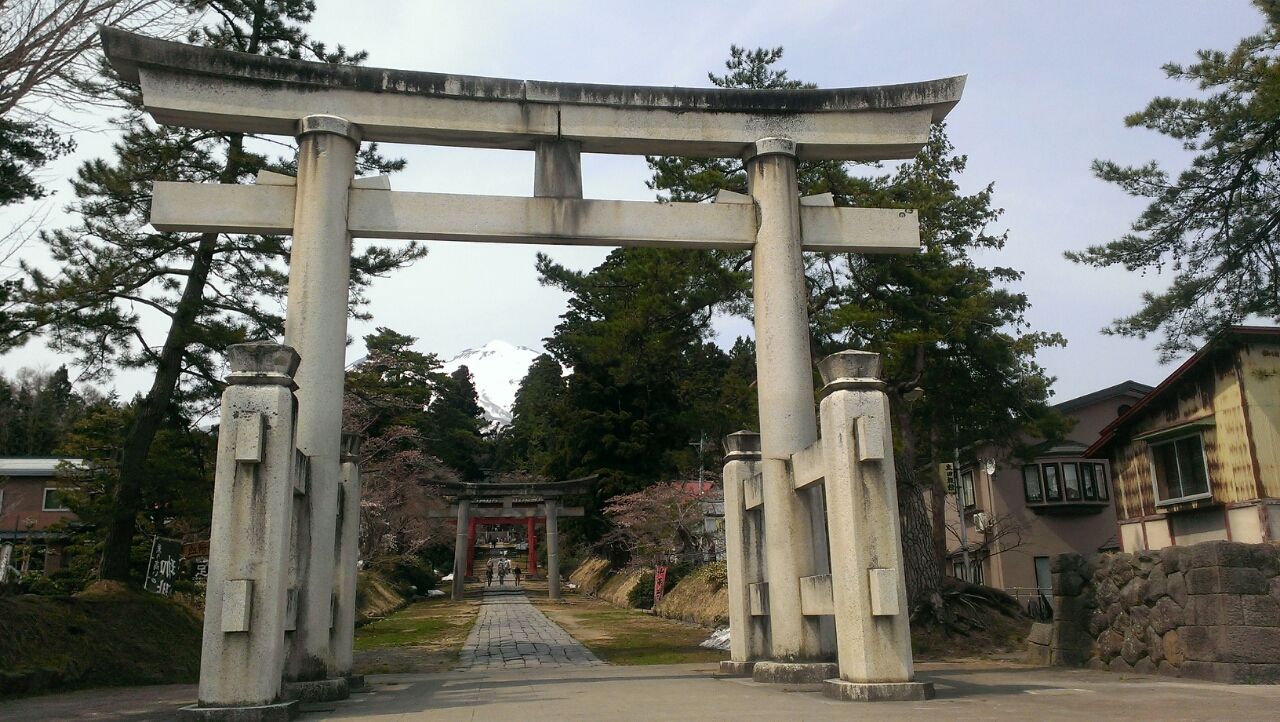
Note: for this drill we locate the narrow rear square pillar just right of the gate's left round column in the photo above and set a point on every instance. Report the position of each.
(349, 555)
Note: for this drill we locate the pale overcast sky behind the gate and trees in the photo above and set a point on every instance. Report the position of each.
(1049, 88)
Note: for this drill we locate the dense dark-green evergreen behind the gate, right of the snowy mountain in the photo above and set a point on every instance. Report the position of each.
(644, 381)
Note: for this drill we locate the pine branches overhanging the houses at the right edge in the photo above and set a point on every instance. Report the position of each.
(1215, 225)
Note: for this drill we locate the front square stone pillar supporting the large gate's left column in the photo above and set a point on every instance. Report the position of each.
(243, 654)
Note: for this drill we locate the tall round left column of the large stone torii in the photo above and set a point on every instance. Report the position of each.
(317, 326)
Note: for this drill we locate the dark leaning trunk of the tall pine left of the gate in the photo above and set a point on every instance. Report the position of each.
(127, 499)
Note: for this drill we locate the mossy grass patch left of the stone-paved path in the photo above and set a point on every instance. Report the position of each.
(426, 637)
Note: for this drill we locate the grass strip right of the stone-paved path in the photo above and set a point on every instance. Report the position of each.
(629, 637)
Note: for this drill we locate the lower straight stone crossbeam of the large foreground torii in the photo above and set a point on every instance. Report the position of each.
(510, 220)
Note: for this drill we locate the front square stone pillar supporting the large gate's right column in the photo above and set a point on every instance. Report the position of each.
(867, 578)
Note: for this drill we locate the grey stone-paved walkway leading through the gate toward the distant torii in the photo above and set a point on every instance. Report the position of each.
(511, 634)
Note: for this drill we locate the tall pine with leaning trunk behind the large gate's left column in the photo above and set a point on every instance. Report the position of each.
(213, 290)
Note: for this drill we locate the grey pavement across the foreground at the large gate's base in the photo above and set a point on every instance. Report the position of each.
(980, 691)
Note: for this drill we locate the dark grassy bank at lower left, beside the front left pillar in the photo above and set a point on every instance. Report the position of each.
(107, 638)
